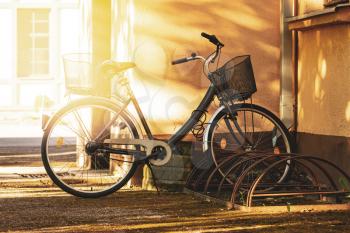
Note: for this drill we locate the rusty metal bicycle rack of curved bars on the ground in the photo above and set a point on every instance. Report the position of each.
(233, 171)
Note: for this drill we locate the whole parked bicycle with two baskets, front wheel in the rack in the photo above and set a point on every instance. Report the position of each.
(92, 146)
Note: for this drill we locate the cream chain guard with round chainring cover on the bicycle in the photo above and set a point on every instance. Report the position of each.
(151, 147)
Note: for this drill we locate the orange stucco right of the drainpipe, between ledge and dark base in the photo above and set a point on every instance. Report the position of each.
(324, 81)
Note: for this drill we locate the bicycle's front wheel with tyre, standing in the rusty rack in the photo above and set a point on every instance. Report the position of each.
(247, 129)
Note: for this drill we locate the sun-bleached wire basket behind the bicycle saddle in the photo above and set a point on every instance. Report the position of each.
(78, 73)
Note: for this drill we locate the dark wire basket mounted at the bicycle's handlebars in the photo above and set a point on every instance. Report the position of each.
(235, 80)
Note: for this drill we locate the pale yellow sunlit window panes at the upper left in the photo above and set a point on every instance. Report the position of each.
(32, 42)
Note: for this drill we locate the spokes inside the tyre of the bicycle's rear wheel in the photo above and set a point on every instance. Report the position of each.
(72, 166)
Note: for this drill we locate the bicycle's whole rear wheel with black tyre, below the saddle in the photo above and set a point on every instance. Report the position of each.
(64, 153)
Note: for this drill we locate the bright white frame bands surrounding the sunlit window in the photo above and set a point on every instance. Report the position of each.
(54, 77)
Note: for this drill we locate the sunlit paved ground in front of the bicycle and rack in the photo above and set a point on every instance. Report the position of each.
(33, 204)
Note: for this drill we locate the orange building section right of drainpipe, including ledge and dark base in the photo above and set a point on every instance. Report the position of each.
(322, 80)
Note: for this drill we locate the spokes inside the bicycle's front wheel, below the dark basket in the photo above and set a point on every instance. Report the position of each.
(249, 131)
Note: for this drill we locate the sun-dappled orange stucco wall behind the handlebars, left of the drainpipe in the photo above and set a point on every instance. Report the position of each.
(170, 29)
